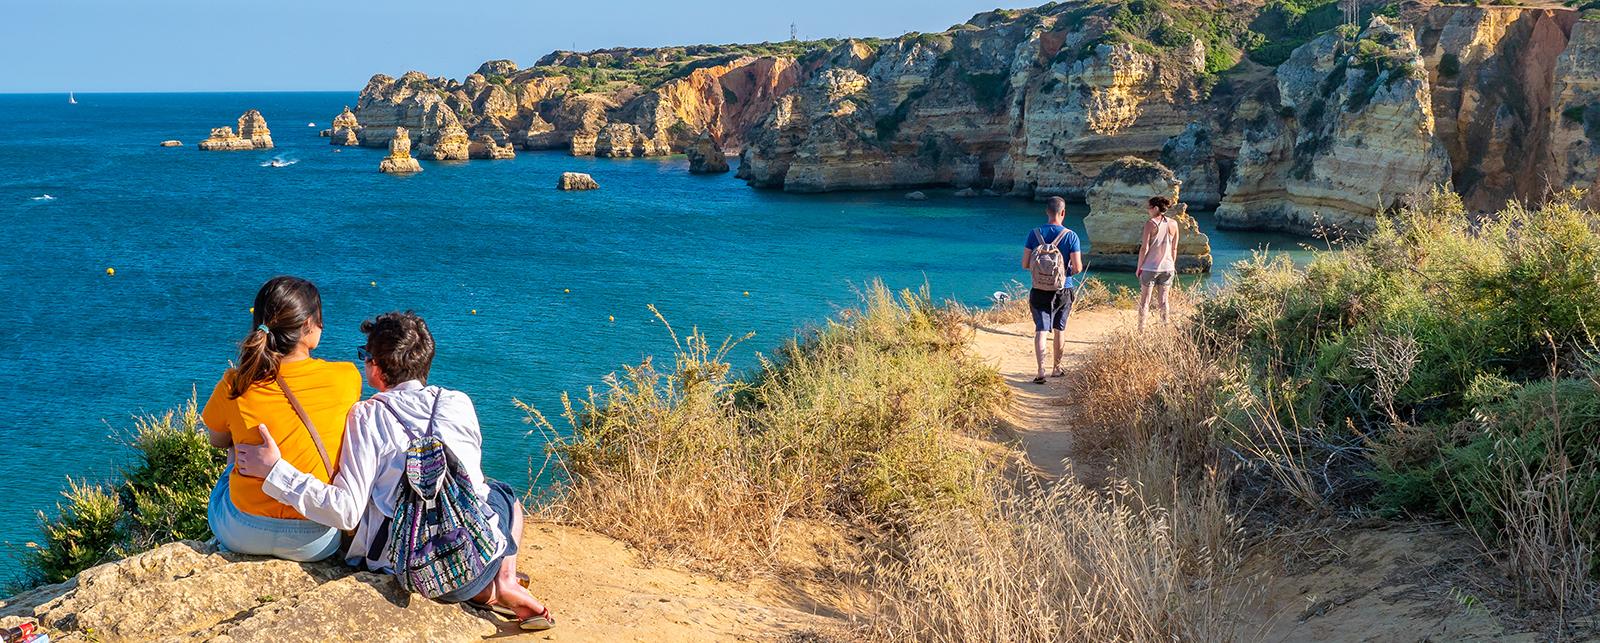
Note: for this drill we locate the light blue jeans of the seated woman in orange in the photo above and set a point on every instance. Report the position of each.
(284, 538)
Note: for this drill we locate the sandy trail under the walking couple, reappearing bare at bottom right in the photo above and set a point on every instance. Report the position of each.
(1372, 581)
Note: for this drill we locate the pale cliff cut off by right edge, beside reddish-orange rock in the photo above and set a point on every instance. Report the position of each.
(1575, 113)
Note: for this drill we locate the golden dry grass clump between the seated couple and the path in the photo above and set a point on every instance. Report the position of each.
(855, 423)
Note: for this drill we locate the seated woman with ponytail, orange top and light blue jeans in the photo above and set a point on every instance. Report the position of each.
(274, 373)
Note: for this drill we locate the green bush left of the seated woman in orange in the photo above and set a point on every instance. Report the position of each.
(162, 498)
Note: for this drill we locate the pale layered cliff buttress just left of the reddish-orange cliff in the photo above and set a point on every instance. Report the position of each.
(1346, 134)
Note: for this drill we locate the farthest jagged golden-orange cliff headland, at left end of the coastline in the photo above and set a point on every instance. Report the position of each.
(502, 108)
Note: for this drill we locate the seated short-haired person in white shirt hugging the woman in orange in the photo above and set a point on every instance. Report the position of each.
(372, 466)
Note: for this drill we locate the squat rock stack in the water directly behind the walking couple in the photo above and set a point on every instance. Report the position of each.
(1119, 210)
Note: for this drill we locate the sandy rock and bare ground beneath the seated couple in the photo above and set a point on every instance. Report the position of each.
(598, 591)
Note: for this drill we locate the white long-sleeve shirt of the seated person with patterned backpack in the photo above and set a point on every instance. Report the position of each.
(372, 466)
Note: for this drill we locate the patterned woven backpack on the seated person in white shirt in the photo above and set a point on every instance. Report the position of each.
(439, 540)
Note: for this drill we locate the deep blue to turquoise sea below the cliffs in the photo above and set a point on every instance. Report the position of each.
(484, 250)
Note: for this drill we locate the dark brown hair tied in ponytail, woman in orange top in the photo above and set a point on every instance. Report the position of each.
(284, 305)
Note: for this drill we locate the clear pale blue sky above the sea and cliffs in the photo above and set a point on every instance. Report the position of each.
(230, 46)
